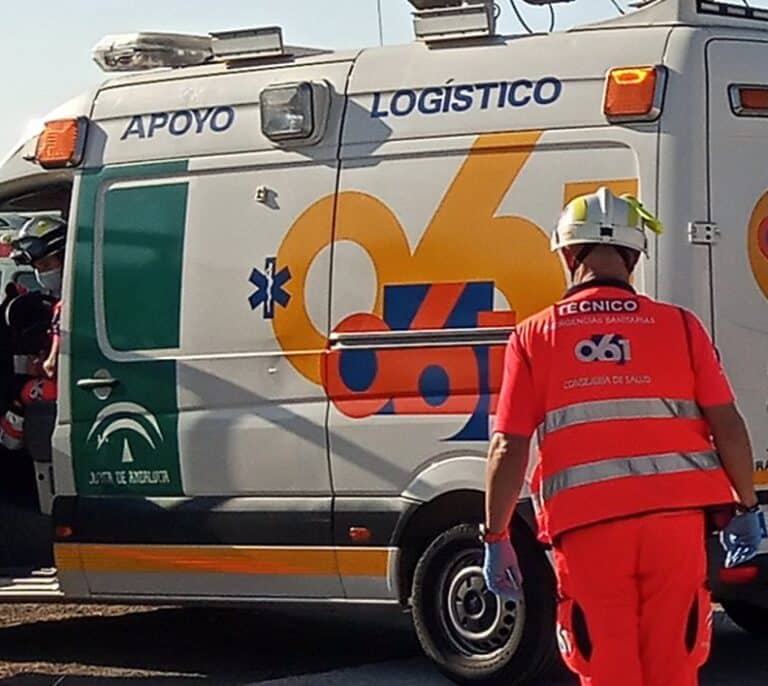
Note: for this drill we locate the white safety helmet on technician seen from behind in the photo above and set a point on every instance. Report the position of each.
(603, 218)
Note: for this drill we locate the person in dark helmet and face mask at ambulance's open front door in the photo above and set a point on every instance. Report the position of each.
(40, 243)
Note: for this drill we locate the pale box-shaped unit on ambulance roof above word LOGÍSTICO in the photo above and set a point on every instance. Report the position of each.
(450, 20)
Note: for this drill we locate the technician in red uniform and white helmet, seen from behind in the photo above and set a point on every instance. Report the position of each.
(626, 396)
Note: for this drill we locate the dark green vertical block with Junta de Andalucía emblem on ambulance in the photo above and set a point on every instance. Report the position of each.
(127, 443)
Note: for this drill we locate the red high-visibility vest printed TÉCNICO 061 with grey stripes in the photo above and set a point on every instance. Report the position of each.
(622, 433)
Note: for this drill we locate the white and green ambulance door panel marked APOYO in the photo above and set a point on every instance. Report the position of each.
(203, 472)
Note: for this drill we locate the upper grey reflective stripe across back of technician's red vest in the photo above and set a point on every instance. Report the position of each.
(629, 408)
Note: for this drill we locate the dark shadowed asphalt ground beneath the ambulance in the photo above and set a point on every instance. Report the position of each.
(279, 647)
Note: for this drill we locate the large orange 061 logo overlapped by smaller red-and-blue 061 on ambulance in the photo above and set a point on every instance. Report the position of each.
(446, 281)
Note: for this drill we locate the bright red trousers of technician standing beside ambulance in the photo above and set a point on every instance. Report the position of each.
(634, 608)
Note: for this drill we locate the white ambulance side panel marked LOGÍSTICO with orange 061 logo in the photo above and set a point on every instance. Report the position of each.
(441, 242)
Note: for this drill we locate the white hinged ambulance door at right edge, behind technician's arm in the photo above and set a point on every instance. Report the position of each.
(738, 206)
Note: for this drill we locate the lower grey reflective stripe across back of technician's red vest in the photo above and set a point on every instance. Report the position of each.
(620, 467)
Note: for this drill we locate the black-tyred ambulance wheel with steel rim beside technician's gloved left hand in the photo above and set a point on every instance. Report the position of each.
(465, 630)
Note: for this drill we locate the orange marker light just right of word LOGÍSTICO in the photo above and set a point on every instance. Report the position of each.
(634, 94)
